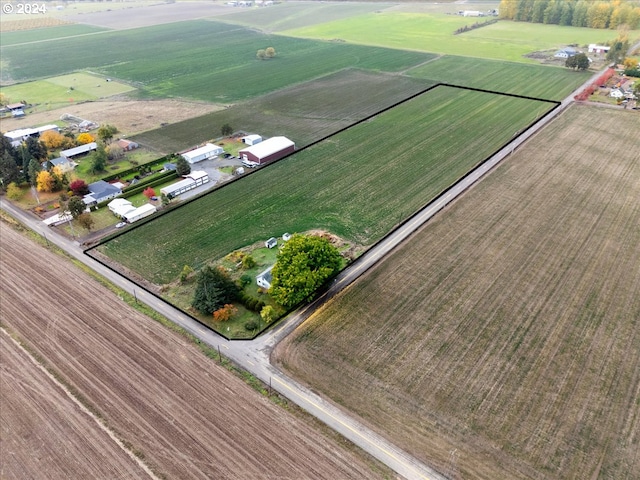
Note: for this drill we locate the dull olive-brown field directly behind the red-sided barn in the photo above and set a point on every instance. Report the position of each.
(304, 113)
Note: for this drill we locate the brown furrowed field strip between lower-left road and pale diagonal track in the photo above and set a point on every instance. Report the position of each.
(185, 415)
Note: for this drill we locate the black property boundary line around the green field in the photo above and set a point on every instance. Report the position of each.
(398, 226)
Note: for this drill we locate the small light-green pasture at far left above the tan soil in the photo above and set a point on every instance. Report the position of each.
(63, 90)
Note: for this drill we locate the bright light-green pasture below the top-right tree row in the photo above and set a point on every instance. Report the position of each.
(504, 40)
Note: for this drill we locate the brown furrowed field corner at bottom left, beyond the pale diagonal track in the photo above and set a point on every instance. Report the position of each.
(43, 430)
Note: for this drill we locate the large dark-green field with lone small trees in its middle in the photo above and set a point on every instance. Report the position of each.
(202, 60)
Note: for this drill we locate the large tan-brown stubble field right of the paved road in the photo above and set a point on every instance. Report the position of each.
(502, 339)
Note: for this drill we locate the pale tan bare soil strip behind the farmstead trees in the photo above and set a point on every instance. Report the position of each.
(130, 116)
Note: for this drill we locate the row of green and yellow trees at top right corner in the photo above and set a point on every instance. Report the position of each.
(577, 13)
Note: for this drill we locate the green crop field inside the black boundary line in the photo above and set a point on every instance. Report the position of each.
(359, 183)
